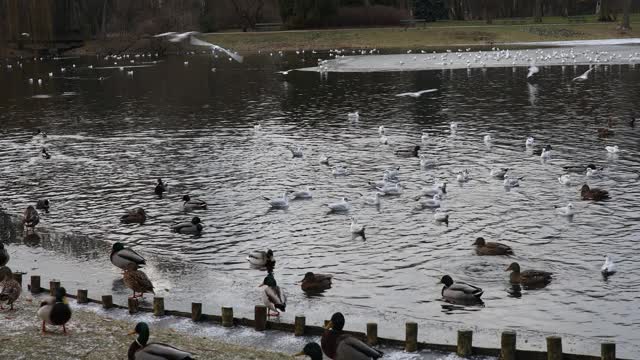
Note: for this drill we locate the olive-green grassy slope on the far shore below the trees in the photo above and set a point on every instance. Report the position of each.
(443, 34)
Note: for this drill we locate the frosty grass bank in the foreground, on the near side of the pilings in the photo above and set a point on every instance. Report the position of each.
(94, 337)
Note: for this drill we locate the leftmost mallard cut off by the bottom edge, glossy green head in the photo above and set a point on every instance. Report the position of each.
(141, 349)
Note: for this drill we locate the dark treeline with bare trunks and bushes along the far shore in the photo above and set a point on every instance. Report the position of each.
(47, 20)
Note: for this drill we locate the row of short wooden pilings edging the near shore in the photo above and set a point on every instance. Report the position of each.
(464, 347)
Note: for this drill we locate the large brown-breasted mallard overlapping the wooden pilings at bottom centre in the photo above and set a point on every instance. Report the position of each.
(339, 346)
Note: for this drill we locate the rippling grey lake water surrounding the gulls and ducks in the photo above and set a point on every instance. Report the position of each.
(111, 139)
